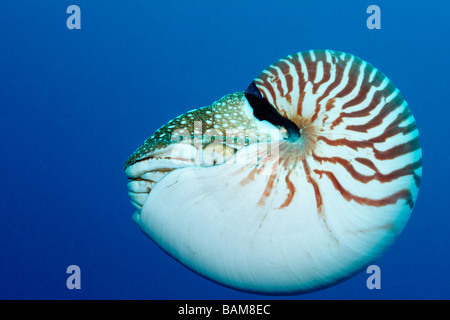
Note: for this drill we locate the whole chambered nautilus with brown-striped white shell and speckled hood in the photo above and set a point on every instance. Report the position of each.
(294, 185)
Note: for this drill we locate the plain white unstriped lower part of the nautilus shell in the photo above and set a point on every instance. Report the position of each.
(244, 245)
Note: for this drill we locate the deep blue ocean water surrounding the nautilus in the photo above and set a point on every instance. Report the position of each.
(74, 104)
